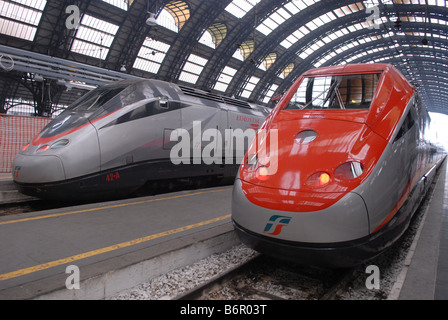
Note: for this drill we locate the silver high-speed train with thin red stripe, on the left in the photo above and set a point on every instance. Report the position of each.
(119, 136)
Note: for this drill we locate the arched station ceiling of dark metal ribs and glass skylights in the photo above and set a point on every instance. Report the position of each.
(248, 49)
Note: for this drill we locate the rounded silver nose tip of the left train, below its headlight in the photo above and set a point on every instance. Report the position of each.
(37, 169)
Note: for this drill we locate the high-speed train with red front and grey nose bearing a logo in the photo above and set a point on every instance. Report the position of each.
(338, 167)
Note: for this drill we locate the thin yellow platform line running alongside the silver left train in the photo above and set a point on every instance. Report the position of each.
(109, 207)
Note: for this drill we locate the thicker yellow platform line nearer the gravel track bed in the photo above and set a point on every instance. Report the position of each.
(89, 254)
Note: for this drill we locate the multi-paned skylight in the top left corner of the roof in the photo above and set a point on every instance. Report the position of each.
(20, 18)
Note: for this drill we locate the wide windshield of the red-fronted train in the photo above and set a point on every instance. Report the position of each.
(335, 92)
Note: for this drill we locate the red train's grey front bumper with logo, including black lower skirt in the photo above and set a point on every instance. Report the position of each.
(337, 236)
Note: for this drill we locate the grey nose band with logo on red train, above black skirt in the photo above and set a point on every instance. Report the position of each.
(346, 220)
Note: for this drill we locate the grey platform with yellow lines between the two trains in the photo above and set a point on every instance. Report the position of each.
(114, 245)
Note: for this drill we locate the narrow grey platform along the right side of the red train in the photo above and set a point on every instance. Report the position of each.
(425, 273)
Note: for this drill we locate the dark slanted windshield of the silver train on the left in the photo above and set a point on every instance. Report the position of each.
(96, 98)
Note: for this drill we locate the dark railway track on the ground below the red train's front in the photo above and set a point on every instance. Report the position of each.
(262, 278)
